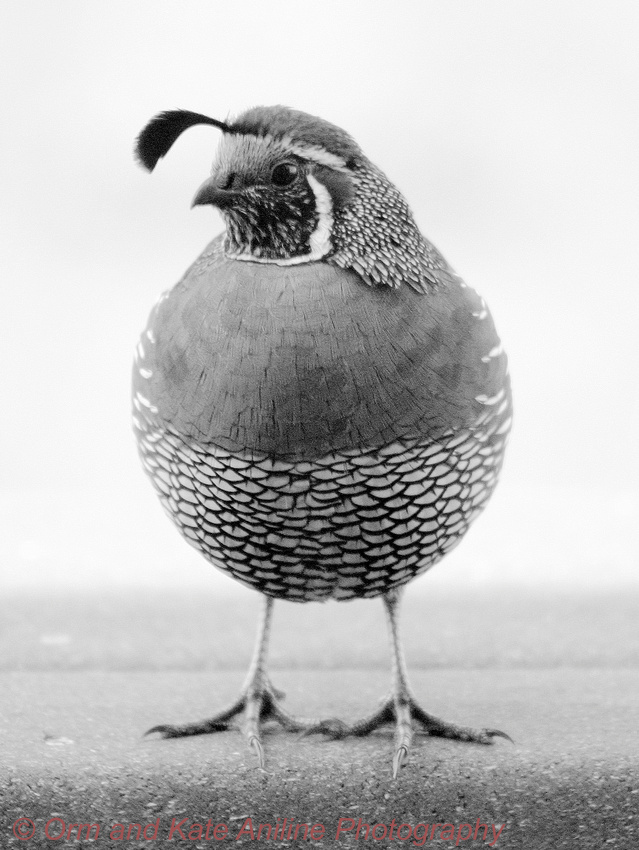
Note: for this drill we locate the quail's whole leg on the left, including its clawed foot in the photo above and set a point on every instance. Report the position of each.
(258, 701)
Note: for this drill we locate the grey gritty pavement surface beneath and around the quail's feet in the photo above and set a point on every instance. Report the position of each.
(83, 677)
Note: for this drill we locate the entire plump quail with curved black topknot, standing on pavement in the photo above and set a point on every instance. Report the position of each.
(321, 403)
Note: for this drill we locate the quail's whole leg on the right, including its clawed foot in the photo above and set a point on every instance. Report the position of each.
(401, 707)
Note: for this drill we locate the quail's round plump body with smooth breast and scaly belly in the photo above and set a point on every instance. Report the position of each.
(314, 436)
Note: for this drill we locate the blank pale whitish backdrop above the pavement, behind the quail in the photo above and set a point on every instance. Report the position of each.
(512, 128)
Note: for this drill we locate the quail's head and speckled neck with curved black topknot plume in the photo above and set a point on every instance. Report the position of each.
(294, 188)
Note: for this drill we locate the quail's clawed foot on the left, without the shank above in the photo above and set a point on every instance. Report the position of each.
(258, 703)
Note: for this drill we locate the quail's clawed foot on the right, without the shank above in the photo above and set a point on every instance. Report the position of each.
(408, 717)
